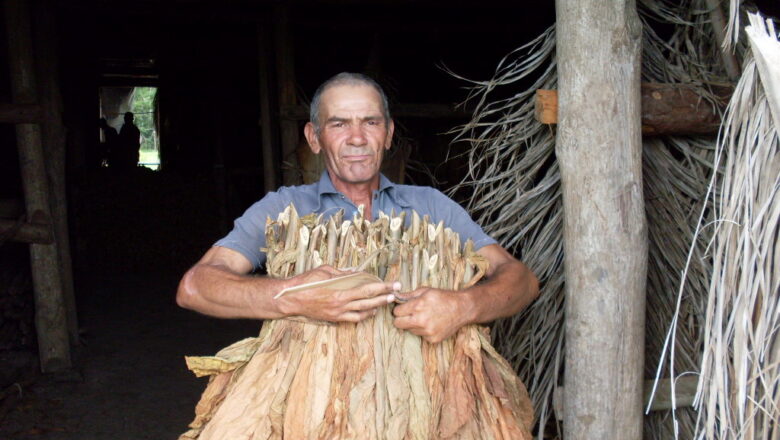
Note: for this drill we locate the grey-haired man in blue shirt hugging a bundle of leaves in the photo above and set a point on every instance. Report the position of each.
(350, 124)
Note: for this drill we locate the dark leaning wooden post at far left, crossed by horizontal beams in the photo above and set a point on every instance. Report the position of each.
(50, 319)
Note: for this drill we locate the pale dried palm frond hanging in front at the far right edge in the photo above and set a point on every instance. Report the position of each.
(738, 390)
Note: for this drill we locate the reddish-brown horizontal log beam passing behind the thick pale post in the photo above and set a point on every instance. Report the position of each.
(667, 109)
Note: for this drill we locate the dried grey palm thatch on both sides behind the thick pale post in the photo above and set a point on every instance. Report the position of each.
(514, 181)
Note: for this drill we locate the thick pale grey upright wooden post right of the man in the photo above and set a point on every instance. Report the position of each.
(599, 150)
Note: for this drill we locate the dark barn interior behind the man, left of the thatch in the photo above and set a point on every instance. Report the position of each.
(225, 87)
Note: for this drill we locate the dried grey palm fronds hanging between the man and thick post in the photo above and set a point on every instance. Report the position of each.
(516, 198)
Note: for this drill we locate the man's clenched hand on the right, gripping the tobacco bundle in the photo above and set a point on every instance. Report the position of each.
(433, 314)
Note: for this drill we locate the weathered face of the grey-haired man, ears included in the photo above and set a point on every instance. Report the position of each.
(353, 133)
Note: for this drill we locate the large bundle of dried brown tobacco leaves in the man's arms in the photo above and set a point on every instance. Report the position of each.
(303, 379)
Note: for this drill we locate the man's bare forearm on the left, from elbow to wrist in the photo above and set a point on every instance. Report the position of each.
(216, 291)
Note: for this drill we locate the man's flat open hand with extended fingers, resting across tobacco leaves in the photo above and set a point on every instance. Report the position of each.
(352, 305)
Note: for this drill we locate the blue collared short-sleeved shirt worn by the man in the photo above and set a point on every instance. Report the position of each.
(248, 234)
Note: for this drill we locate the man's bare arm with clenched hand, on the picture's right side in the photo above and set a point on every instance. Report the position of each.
(436, 314)
